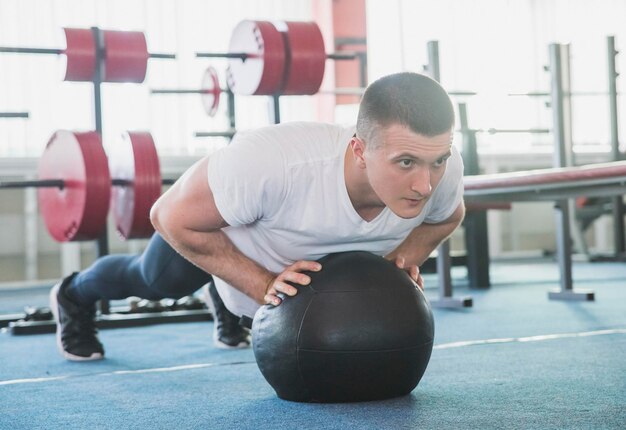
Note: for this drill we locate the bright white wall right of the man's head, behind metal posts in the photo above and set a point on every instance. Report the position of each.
(497, 47)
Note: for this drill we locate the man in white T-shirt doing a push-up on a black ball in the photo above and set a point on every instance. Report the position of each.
(258, 213)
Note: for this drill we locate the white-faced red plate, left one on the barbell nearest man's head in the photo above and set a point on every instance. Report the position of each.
(261, 73)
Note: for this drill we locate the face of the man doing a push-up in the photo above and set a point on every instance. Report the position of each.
(404, 168)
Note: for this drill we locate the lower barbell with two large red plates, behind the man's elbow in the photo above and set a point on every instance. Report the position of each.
(78, 184)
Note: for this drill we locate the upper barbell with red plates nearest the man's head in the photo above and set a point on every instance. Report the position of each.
(269, 58)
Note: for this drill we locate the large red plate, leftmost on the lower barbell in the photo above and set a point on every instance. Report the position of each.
(79, 210)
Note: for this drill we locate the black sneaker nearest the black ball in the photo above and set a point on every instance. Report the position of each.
(227, 332)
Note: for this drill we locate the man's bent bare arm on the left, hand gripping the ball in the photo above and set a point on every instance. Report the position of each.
(188, 219)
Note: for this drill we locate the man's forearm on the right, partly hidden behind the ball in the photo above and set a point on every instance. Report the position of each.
(424, 239)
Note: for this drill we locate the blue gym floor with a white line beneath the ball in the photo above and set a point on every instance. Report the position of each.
(514, 360)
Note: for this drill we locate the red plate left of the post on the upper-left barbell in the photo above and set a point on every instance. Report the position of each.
(80, 54)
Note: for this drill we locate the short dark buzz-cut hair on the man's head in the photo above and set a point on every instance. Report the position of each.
(409, 99)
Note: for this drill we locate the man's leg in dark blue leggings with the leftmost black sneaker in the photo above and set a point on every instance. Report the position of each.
(157, 273)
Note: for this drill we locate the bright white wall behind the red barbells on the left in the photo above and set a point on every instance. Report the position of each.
(33, 83)
